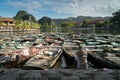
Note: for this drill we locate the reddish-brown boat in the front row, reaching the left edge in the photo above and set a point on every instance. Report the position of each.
(15, 58)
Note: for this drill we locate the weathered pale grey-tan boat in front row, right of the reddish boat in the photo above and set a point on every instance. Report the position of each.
(46, 58)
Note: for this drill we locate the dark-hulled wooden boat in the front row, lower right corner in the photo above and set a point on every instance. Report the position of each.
(100, 61)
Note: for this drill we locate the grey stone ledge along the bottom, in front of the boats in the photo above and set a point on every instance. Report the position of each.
(59, 74)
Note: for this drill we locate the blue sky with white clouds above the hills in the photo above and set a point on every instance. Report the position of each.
(59, 8)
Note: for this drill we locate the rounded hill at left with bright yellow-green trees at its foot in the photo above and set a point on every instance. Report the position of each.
(23, 20)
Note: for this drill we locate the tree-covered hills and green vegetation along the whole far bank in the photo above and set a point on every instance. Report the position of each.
(24, 20)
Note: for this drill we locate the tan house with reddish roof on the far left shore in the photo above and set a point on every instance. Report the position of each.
(6, 21)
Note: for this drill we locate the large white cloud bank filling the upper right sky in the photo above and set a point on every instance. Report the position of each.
(84, 7)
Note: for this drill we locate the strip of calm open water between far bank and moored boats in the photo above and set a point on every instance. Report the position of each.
(71, 30)
